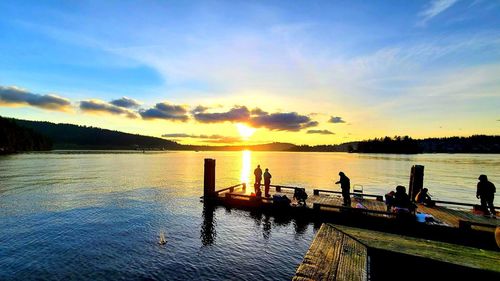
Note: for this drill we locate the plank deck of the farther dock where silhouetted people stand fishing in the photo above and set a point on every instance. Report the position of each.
(327, 202)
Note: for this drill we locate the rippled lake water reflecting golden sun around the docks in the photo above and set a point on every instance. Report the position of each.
(98, 215)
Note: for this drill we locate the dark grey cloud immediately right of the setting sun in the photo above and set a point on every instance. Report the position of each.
(291, 121)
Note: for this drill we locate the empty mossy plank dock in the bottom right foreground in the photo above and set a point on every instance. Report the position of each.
(347, 253)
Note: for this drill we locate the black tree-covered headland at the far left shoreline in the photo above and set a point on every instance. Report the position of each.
(14, 138)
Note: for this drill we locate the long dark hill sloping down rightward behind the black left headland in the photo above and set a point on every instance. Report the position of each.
(68, 136)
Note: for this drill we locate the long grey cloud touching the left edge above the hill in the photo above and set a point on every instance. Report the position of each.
(18, 96)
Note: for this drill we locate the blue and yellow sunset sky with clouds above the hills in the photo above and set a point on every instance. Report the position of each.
(249, 72)
